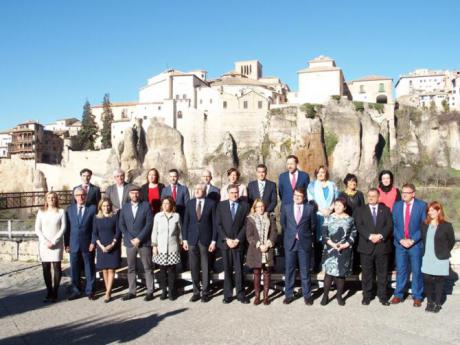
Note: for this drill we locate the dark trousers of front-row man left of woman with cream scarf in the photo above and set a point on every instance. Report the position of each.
(233, 263)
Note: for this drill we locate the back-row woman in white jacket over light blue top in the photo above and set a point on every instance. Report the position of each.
(322, 192)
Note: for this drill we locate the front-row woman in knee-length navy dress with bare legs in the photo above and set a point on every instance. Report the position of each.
(107, 236)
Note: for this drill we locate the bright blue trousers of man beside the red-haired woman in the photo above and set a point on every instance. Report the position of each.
(407, 261)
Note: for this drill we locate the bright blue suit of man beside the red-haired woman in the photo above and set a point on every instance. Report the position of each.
(409, 260)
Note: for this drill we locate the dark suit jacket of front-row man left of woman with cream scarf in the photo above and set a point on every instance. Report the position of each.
(228, 228)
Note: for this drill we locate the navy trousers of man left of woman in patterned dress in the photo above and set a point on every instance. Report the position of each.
(303, 258)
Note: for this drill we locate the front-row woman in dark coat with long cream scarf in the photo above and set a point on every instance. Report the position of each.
(261, 234)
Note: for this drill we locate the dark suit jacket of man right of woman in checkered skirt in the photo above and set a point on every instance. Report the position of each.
(203, 230)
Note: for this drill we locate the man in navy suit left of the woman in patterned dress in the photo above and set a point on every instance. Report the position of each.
(299, 223)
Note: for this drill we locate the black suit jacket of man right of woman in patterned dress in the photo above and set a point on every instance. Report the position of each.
(366, 227)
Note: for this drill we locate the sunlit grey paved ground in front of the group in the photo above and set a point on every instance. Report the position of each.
(25, 319)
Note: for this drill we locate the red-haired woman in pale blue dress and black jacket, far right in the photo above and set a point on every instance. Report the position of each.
(438, 240)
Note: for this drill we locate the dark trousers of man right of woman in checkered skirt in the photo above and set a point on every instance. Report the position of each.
(199, 259)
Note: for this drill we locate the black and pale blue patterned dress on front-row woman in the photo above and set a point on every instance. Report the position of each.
(338, 230)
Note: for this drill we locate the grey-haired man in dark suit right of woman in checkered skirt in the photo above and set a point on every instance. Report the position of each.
(199, 237)
